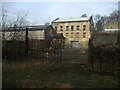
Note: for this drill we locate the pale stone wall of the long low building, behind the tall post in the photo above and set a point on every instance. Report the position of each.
(21, 35)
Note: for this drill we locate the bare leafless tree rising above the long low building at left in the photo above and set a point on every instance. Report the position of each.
(15, 24)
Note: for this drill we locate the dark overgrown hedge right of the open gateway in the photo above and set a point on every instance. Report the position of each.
(105, 58)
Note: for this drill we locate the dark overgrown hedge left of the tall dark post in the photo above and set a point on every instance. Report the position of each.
(13, 50)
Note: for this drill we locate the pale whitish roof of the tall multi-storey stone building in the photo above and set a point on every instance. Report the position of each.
(72, 19)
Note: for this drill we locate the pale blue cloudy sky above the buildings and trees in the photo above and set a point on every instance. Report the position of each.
(41, 12)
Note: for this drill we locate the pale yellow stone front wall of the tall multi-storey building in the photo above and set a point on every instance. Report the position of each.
(74, 35)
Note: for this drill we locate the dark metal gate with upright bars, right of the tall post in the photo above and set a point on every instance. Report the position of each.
(41, 50)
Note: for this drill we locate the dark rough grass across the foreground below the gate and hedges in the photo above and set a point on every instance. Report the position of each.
(44, 74)
